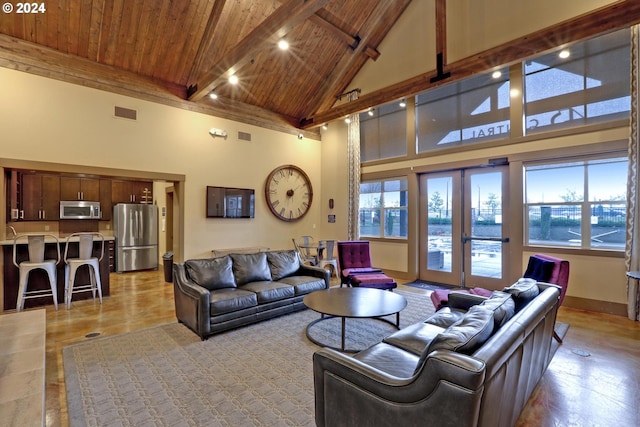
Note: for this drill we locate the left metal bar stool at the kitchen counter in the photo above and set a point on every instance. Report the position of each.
(36, 261)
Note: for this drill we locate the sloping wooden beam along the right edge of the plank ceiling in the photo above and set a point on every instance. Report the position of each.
(381, 18)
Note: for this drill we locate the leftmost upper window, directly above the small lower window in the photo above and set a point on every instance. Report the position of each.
(383, 132)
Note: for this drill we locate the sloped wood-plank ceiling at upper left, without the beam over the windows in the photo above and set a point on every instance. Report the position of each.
(189, 48)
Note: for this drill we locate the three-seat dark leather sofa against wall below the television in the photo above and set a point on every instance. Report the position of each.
(216, 294)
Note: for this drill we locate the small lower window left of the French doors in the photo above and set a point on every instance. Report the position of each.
(383, 208)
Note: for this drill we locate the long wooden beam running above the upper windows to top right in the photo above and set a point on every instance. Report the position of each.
(613, 17)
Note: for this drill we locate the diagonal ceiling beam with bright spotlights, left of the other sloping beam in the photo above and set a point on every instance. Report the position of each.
(276, 25)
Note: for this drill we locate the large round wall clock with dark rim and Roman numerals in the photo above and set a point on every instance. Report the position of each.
(288, 192)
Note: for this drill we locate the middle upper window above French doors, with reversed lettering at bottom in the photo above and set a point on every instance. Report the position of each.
(469, 111)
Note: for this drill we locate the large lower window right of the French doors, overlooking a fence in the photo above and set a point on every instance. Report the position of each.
(577, 203)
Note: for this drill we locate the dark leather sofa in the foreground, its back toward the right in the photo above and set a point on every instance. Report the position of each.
(474, 363)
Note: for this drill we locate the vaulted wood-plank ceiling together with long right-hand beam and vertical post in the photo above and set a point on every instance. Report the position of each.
(177, 52)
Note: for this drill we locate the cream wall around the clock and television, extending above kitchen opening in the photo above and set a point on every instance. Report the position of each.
(51, 121)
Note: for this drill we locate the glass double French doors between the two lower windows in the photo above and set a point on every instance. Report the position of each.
(463, 240)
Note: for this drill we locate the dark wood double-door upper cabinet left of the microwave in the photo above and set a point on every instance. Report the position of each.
(40, 197)
